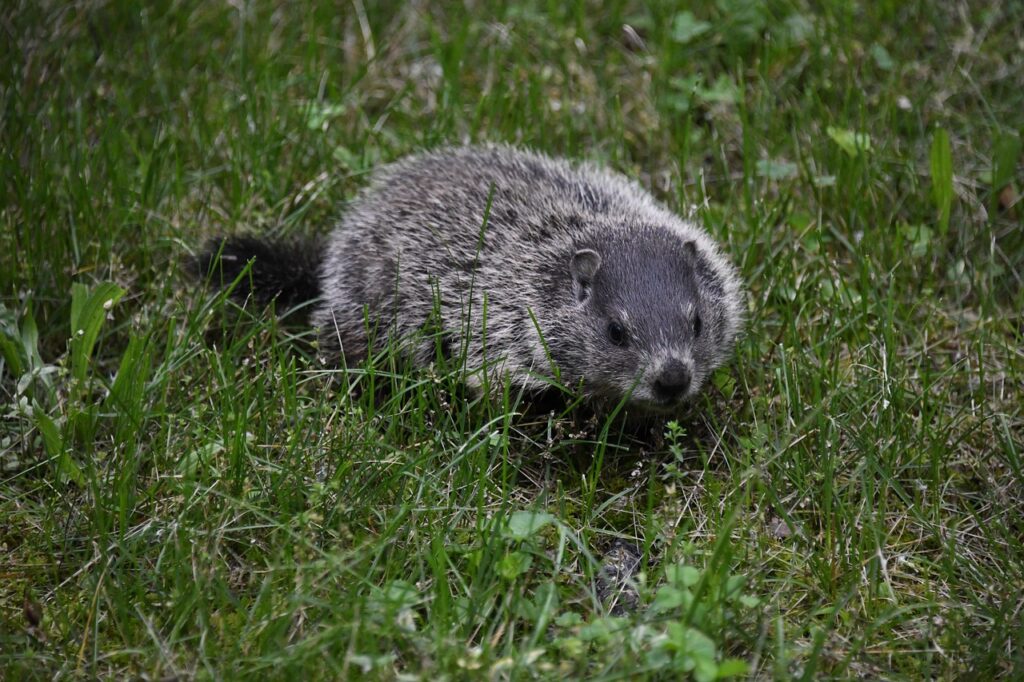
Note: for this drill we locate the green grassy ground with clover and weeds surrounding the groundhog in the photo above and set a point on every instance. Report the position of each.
(186, 492)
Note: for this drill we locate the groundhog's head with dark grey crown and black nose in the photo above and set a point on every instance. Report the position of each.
(656, 315)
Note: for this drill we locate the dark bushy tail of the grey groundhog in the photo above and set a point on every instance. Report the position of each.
(285, 272)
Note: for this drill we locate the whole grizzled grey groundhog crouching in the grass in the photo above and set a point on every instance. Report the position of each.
(519, 266)
